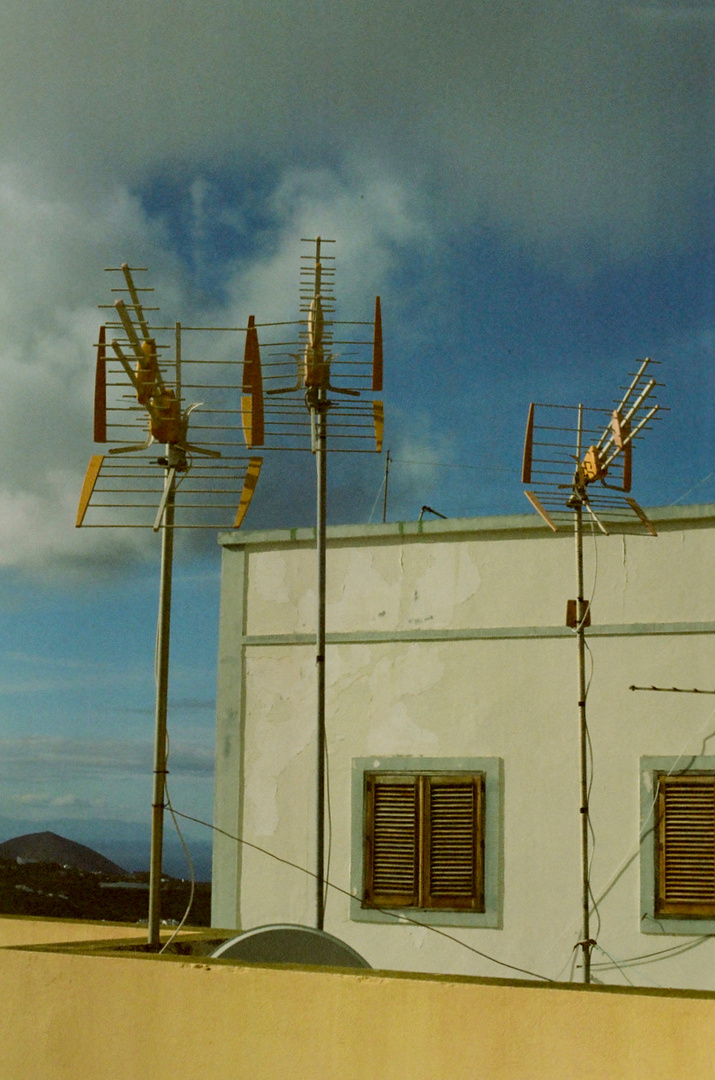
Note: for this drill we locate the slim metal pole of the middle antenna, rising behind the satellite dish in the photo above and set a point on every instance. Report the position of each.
(321, 461)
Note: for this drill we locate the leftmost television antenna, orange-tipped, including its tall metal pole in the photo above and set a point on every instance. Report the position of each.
(201, 471)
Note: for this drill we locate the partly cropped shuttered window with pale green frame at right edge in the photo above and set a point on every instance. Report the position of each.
(678, 845)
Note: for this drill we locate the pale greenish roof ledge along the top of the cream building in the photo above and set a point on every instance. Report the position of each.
(697, 515)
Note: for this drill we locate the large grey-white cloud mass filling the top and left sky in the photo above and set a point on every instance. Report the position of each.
(585, 131)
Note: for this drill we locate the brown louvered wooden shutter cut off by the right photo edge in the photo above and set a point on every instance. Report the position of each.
(685, 846)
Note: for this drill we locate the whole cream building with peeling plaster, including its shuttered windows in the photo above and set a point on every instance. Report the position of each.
(453, 739)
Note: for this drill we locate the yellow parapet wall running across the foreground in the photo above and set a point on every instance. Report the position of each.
(82, 1012)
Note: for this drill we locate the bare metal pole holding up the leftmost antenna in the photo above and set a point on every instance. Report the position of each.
(160, 731)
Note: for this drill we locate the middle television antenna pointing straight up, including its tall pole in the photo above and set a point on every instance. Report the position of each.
(303, 387)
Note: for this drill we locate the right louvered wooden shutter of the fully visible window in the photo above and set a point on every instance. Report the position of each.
(454, 843)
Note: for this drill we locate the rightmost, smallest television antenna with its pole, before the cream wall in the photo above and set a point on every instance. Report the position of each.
(581, 460)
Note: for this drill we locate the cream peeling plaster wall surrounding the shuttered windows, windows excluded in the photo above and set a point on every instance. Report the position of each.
(452, 644)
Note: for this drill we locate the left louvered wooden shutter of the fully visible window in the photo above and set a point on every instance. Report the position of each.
(392, 841)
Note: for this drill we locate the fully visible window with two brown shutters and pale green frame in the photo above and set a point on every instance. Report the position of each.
(428, 838)
